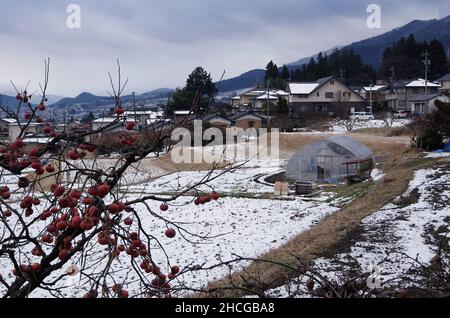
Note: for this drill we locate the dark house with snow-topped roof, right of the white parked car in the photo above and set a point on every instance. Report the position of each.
(403, 95)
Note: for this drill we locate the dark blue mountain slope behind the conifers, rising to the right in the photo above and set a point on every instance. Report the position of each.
(371, 50)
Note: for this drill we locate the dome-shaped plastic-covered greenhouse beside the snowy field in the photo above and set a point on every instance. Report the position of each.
(330, 160)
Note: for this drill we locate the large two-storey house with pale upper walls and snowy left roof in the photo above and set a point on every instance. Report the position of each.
(327, 97)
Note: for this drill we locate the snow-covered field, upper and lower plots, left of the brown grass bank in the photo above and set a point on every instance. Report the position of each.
(209, 234)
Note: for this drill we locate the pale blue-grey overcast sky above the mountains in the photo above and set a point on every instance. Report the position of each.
(160, 41)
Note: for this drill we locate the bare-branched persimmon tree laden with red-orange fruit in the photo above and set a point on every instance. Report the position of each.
(58, 209)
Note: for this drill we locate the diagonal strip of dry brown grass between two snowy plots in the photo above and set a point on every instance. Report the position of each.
(399, 169)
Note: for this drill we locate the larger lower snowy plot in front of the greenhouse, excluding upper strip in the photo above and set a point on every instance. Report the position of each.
(214, 233)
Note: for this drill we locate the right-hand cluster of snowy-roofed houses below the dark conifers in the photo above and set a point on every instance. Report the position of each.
(330, 97)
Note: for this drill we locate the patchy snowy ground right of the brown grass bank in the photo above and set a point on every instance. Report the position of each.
(395, 238)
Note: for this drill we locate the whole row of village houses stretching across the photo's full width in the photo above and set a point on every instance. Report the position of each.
(327, 97)
